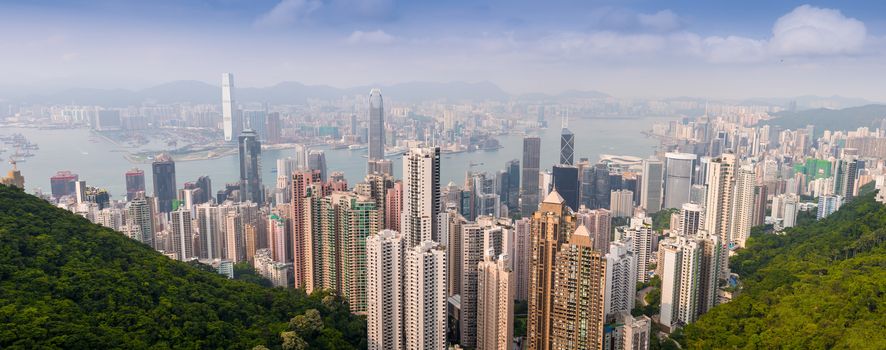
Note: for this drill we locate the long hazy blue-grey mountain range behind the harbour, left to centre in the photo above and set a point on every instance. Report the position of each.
(282, 93)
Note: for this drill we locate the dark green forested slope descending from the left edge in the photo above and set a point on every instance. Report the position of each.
(67, 283)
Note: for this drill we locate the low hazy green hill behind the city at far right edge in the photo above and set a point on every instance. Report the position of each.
(832, 119)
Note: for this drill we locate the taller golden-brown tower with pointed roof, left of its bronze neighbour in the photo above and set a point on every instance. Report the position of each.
(551, 225)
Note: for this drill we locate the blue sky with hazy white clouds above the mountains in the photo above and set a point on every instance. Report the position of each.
(628, 48)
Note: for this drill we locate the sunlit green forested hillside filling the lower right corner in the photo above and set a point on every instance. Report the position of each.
(819, 286)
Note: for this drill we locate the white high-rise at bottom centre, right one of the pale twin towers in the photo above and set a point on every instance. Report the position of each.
(425, 300)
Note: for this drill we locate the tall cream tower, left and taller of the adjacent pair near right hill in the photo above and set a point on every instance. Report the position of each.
(718, 205)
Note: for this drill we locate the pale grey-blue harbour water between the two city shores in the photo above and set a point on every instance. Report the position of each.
(102, 164)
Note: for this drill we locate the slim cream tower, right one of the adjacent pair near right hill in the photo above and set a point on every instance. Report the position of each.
(742, 206)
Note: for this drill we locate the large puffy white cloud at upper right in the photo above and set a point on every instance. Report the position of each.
(811, 30)
